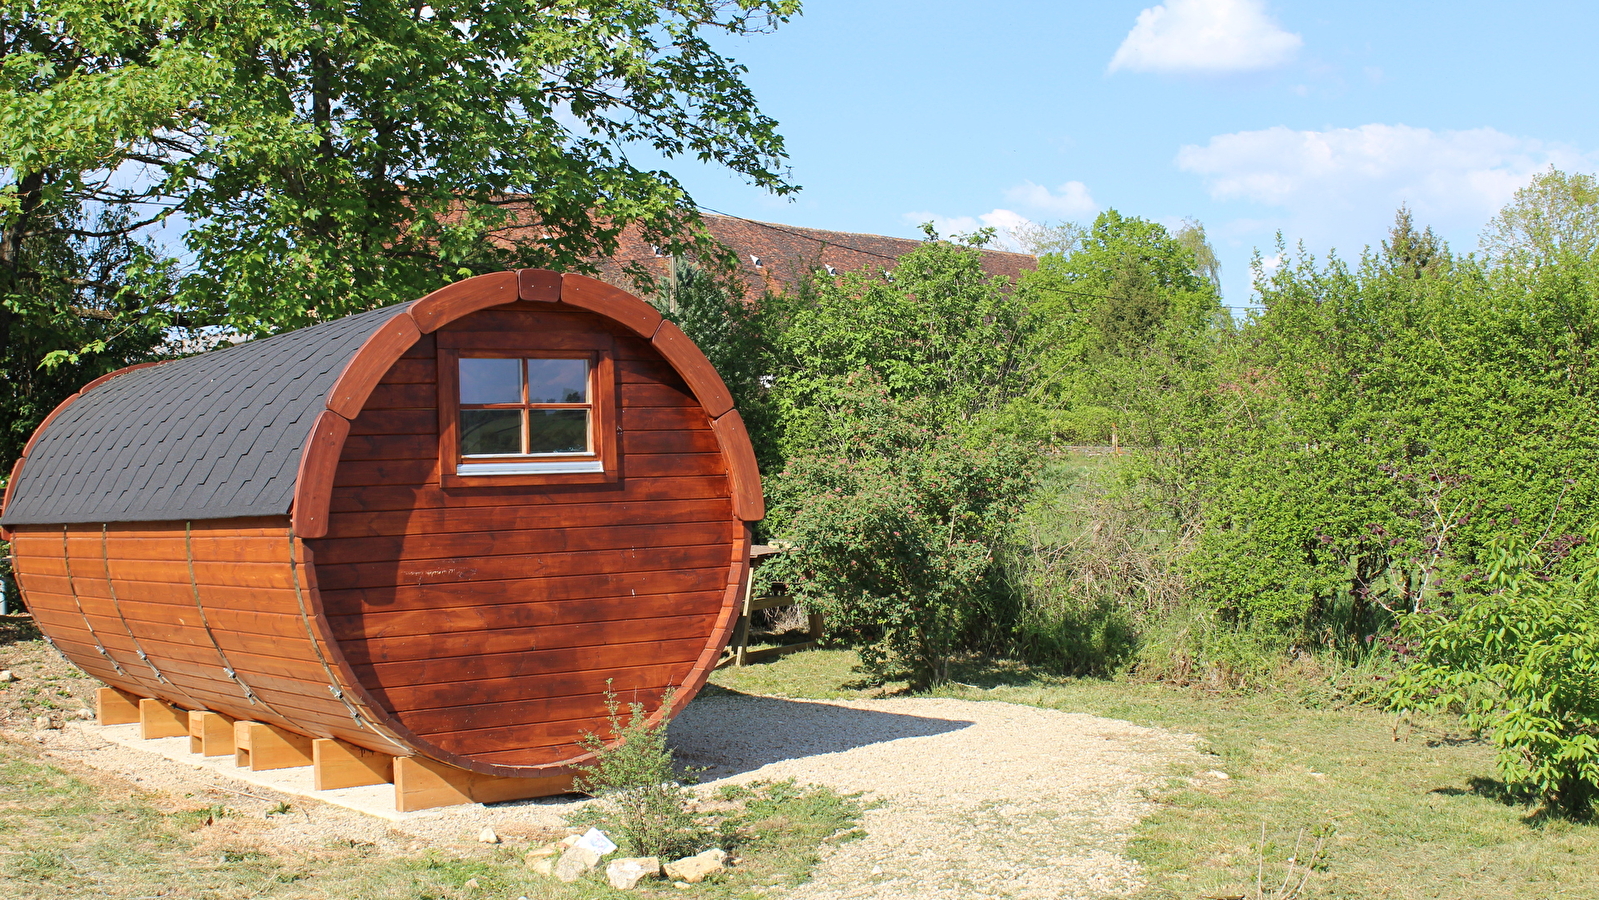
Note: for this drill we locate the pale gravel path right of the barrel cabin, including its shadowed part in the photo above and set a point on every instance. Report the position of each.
(975, 800)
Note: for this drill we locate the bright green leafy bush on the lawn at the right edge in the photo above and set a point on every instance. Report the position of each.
(1520, 659)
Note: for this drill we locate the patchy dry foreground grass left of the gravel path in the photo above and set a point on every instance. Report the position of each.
(70, 837)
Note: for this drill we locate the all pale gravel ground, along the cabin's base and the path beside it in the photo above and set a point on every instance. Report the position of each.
(971, 800)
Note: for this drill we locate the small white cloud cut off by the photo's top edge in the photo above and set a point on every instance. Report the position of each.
(1206, 36)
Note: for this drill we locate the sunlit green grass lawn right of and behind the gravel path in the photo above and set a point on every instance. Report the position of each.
(1413, 810)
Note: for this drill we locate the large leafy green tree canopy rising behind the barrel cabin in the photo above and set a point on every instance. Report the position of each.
(266, 164)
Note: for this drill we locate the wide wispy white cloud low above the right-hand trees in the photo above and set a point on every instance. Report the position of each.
(1443, 175)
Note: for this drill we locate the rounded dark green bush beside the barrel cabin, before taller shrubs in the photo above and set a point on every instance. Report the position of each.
(898, 535)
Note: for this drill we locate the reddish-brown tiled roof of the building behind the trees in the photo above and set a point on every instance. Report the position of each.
(775, 257)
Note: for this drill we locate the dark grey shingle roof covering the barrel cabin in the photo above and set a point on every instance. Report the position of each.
(215, 436)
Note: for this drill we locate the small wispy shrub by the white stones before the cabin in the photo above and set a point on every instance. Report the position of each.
(644, 805)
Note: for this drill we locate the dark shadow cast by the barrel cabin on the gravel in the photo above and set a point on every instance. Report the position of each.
(728, 733)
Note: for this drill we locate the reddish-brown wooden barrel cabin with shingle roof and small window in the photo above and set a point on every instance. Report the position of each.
(428, 538)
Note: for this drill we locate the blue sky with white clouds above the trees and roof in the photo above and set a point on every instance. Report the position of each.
(1253, 116)
